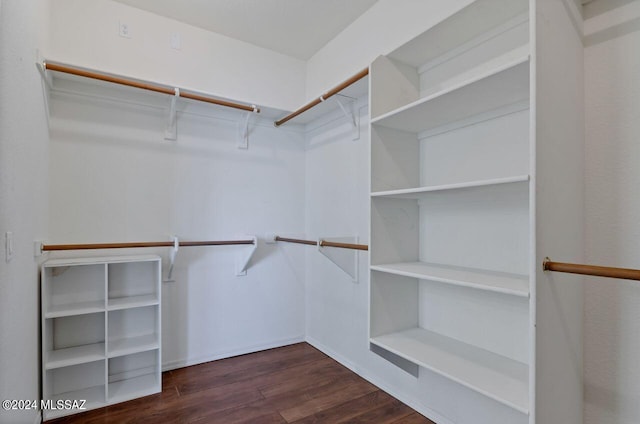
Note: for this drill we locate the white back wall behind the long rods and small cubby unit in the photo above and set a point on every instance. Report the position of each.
(113, 176)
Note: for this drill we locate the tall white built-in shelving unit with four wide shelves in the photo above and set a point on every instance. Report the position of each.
(471, 152)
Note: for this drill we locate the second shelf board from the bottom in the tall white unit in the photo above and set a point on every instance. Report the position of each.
(500, 282)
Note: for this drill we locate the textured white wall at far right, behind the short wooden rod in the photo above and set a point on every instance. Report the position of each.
(612, 307)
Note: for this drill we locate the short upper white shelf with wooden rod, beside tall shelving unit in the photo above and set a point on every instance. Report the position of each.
(348, 90)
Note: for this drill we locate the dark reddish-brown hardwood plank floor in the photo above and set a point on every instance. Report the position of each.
(292, 384)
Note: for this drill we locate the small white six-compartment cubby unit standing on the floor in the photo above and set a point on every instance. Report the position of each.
(100, 330)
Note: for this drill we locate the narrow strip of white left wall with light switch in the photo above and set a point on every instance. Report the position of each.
(23, 198)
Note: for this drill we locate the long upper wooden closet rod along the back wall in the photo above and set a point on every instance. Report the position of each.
(145, 86)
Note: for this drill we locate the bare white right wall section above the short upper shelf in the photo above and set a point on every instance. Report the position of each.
(385, 26)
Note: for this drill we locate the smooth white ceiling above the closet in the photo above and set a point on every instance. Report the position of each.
(297, 28)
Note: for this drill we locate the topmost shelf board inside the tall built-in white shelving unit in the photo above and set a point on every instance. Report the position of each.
(506, 85)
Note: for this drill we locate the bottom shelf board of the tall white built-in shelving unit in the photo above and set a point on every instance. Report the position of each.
(497, 377)
